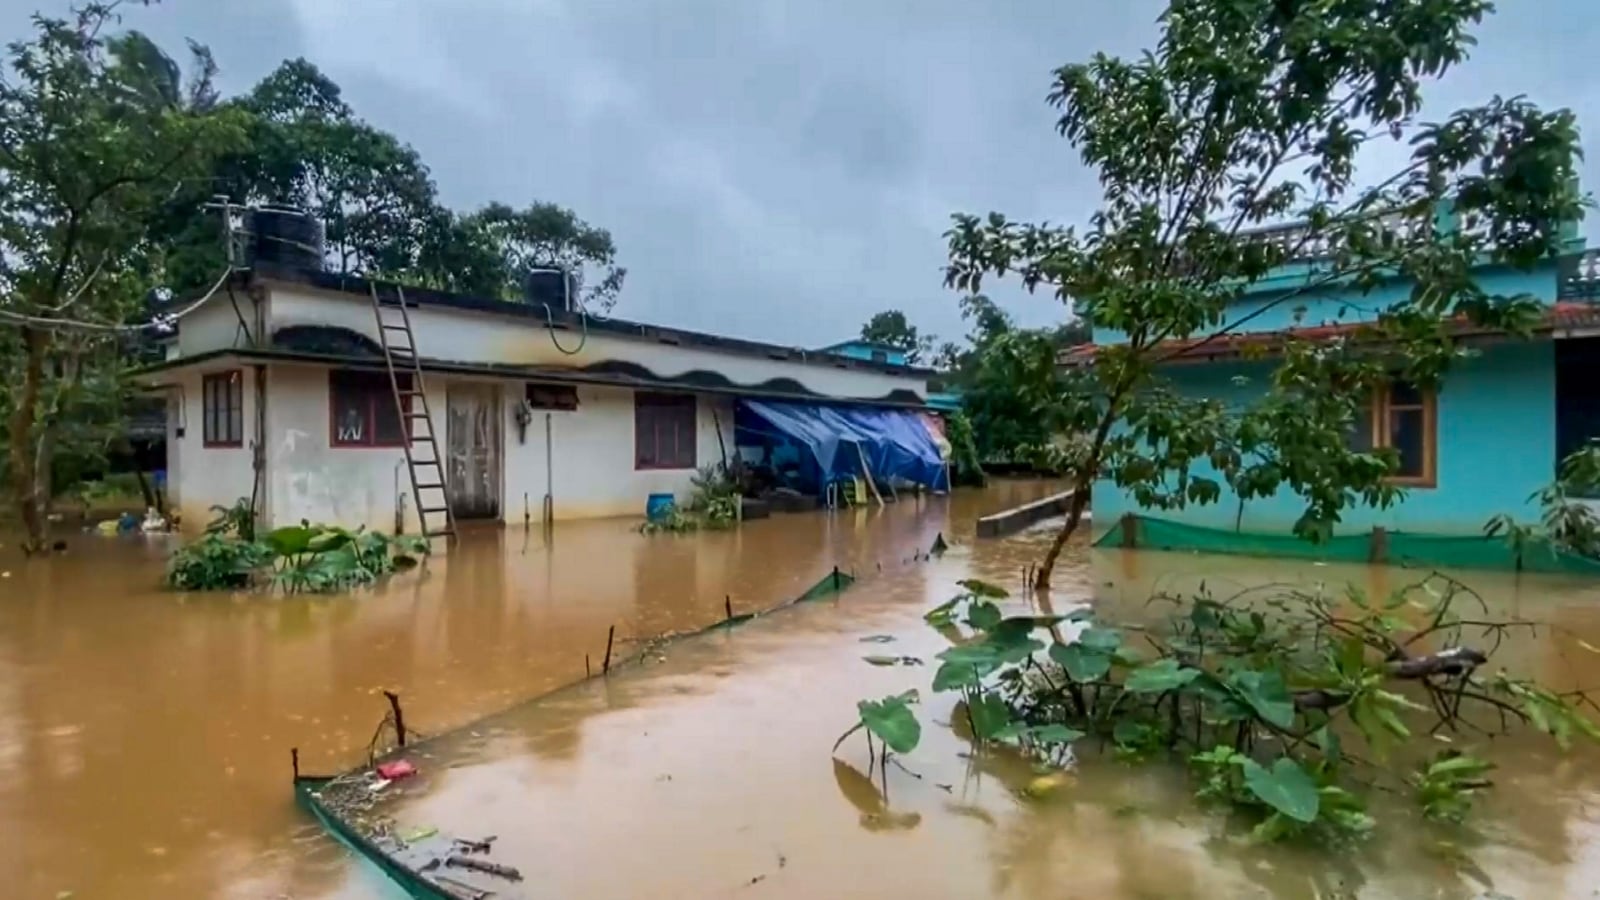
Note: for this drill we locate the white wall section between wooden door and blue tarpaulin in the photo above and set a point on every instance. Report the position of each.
(594, 457)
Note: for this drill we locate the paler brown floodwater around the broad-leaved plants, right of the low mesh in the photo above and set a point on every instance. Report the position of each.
(710, 773)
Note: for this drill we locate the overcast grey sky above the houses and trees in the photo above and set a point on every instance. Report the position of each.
(770, 169)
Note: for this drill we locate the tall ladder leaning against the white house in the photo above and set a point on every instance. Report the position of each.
(402, 356)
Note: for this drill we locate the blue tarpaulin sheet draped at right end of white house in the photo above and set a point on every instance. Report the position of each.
(895, 443)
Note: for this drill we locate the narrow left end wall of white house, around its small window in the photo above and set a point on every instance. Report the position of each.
(199, 476)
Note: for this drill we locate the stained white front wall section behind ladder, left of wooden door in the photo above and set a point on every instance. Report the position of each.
(343, 486)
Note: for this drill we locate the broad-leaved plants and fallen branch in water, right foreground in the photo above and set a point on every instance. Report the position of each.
(1262, 696)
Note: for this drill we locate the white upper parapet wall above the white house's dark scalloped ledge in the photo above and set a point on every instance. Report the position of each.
(474, 337)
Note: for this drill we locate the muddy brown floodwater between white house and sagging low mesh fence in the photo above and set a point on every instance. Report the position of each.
(145, 736)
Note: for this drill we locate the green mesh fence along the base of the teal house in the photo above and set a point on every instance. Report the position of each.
(1399, 548)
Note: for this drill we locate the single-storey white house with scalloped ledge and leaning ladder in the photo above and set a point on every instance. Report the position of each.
(279, 390)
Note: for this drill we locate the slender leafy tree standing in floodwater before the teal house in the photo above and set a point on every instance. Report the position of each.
(1249, 113)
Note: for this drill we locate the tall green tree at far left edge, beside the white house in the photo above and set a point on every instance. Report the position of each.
(95, 135)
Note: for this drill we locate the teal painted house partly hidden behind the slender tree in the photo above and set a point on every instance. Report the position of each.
(1476, 448)
